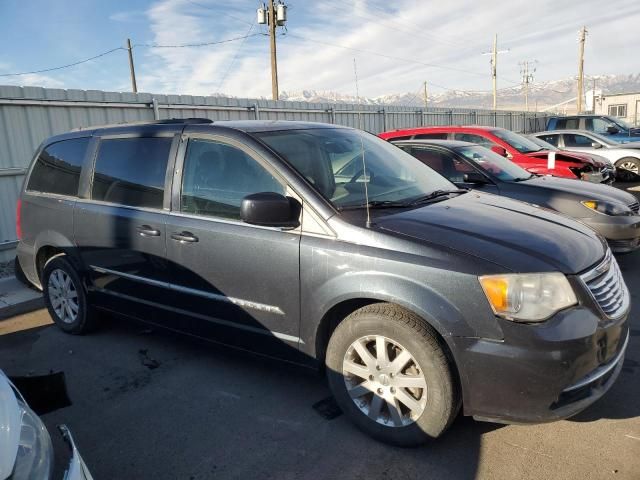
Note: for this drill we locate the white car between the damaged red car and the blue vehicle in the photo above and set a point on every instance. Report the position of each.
(625, 156)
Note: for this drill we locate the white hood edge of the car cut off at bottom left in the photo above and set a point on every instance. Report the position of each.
(10, 425)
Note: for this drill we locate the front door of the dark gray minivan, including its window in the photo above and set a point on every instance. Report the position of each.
(238, 283)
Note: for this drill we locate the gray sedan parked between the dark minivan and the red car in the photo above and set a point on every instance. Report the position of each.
(611, 212)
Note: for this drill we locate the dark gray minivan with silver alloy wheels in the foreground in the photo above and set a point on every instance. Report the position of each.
(418, 298)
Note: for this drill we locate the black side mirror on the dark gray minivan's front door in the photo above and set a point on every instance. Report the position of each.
(270, 209)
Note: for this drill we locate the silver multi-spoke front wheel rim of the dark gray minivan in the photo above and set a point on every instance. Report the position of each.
(385, 381)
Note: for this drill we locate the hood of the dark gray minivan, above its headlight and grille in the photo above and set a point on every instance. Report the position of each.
(515, 235)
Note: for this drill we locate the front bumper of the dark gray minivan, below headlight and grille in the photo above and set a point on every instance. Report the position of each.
(541, 373)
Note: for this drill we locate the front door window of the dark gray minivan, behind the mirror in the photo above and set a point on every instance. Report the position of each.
(216, 177)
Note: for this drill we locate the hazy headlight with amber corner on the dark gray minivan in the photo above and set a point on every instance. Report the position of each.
(531, 297)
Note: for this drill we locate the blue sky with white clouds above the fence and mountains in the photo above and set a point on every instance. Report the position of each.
(397, 45)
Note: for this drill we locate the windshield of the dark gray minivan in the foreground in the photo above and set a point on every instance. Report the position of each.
(345, 166)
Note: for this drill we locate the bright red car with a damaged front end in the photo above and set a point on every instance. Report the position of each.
(515, 147)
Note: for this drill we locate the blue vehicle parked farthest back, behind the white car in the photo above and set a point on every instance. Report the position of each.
(613, 128)
